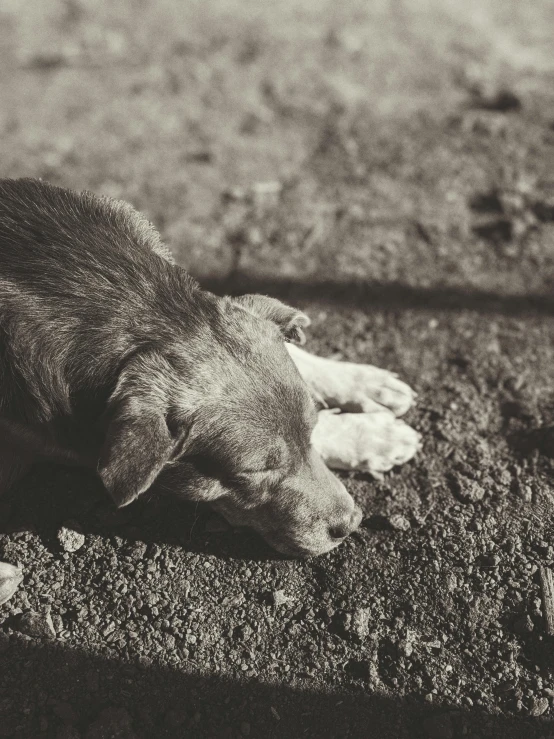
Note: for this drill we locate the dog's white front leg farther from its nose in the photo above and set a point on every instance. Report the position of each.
(352, 387)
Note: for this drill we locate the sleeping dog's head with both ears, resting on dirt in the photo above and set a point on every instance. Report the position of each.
(226, 418)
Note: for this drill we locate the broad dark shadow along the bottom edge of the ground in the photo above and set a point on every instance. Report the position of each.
(90, 696)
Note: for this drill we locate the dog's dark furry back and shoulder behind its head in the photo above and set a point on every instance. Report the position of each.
(78, 273)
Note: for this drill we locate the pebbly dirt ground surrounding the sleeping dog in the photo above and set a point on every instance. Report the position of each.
(389, 168)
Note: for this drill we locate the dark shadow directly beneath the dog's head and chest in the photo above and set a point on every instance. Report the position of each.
(51, 496)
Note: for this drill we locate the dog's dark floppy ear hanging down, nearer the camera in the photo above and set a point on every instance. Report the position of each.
(138, 442)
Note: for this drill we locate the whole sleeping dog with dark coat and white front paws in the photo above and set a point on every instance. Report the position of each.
(113, 357)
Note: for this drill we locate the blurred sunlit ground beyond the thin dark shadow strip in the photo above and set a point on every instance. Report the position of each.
(396, 141)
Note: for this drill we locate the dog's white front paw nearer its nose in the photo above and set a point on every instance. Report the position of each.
(369, 442)
